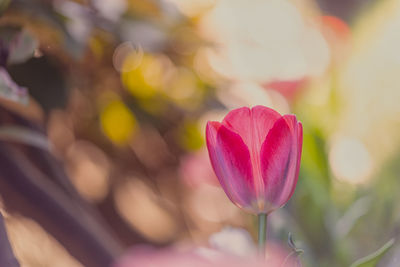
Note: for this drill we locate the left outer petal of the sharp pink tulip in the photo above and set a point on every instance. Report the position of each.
(230, 159)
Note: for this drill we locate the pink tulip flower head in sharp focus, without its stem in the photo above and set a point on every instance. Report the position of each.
(256, 155)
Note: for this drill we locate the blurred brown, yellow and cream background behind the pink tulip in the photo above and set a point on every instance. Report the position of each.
(104, 104)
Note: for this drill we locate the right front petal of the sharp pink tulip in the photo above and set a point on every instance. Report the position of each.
(277, 159)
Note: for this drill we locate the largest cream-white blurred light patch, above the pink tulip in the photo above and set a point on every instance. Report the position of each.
(254, 49)
